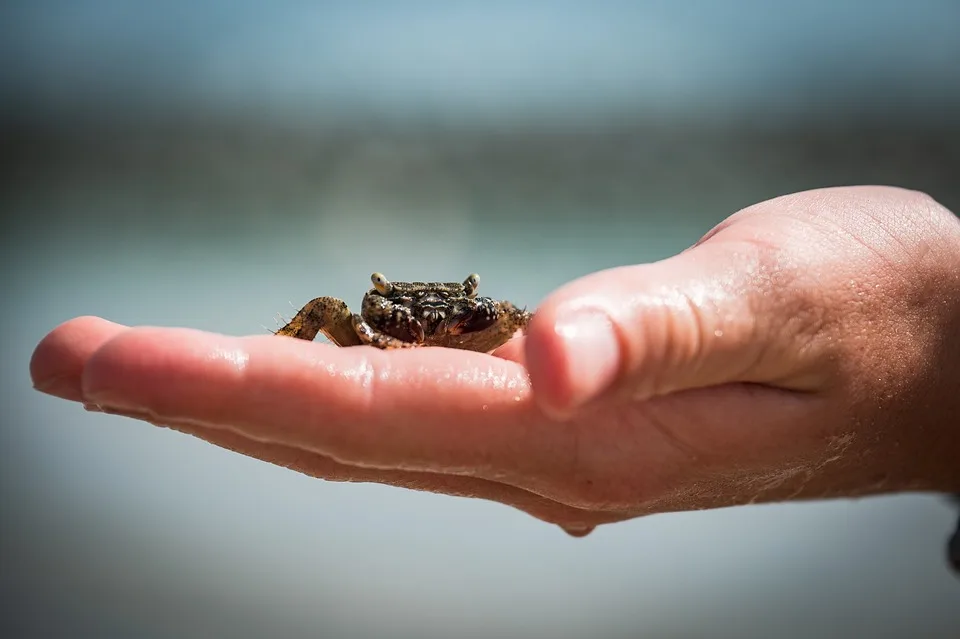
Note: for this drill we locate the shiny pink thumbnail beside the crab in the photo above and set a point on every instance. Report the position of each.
(592, 353)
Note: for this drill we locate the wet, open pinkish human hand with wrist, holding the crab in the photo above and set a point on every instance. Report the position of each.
(807, 347)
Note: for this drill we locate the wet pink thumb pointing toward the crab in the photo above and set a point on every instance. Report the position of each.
(728, 310)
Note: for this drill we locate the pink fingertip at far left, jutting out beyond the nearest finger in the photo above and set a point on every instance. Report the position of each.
(58, 361)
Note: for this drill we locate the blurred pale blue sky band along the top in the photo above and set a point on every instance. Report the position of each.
(476, 61)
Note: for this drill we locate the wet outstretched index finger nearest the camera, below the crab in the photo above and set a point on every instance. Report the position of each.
(420, 409)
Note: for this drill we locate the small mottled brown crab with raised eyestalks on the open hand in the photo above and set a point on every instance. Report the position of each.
(412, 314)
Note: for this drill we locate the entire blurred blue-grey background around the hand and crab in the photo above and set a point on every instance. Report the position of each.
(213, 164)
